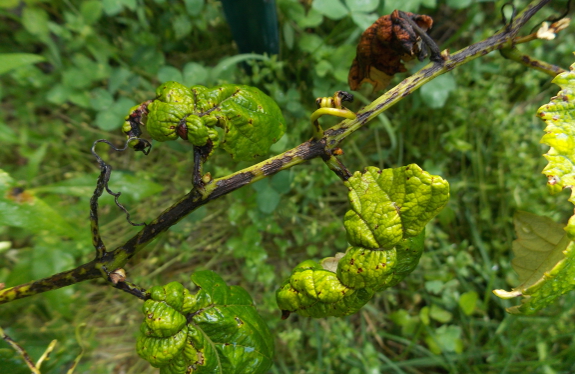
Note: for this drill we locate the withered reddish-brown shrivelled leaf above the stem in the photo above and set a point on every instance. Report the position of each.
(383, 48)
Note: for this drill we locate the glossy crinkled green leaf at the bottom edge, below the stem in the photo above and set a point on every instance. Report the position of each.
(217, 330)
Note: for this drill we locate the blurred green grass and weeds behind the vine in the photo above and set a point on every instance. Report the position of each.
(474, 126)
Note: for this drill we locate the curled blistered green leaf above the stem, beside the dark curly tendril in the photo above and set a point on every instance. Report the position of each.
(250, 121)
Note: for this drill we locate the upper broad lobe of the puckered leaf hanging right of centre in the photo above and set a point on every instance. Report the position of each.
(390, 204)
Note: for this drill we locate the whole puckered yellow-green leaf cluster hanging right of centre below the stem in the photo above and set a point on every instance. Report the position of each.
(385, 227)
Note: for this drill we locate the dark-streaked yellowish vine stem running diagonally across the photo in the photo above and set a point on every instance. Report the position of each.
(306, 151)
